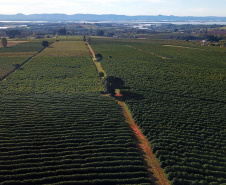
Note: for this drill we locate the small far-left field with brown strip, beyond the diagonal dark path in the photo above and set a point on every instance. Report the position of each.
(17, 54)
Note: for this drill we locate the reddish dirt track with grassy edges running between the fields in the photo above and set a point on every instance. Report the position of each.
(155, 172)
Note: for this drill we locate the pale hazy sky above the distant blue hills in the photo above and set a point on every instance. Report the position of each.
(120, 7)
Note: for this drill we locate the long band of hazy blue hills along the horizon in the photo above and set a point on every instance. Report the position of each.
(107, 17)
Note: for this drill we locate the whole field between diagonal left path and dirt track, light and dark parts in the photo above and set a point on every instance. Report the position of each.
(56, 127)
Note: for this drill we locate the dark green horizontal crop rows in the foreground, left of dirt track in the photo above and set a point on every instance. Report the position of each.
(43, 149)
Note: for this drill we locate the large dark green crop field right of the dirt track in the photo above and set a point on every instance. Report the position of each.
(176, 93)
